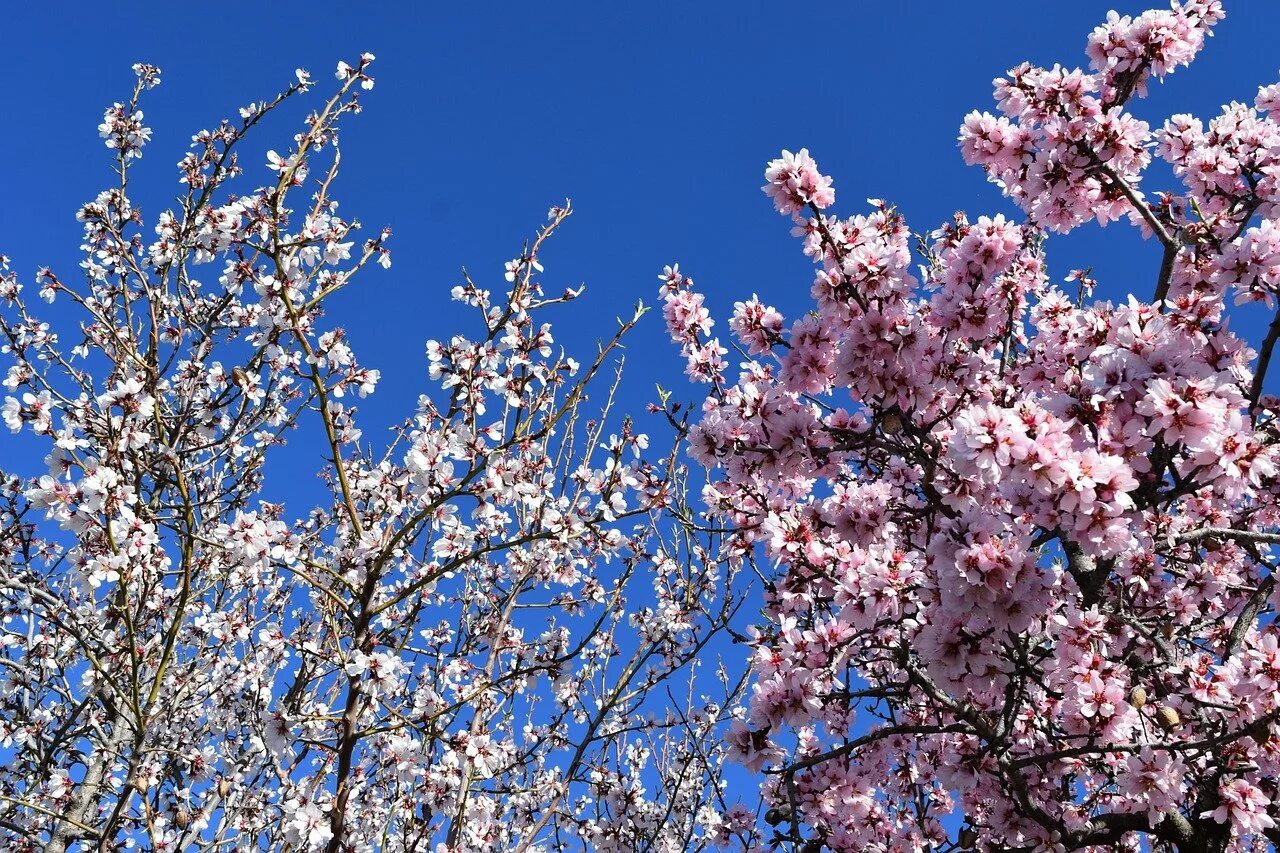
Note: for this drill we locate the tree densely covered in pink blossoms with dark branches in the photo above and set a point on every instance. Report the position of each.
(1025, 539)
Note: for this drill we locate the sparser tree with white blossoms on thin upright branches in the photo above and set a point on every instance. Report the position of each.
(487, 637)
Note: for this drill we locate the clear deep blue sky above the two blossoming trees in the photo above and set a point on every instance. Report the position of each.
(657, 122)
